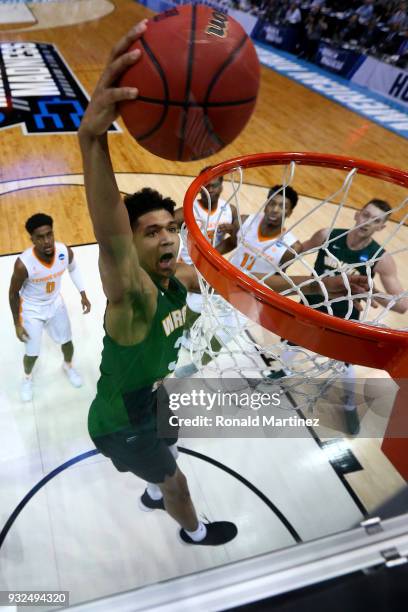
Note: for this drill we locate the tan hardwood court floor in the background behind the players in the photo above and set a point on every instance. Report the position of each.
(288, 117)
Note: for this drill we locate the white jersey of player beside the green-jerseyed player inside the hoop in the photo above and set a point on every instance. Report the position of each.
(255, 252)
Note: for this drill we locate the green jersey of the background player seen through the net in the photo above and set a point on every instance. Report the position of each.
(325, 262)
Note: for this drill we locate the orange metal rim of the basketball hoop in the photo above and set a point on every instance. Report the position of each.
(339, 339)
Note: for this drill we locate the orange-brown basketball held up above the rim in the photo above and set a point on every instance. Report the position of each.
(198, 79)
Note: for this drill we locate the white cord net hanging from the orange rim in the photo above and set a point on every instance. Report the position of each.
(226, 344)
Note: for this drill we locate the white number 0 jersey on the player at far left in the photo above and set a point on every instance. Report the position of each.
(44, 280)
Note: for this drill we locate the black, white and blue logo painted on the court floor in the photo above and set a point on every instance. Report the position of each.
(38, 90)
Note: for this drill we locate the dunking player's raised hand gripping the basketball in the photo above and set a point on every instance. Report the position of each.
(103, 106)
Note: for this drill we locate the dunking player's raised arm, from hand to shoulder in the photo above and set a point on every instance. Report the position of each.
(118, 258)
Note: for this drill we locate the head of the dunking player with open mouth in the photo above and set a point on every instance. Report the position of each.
(155, 231)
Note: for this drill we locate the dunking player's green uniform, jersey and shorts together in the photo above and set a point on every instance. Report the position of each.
(122, 419)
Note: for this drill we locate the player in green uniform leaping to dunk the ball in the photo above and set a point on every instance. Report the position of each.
(146, 291)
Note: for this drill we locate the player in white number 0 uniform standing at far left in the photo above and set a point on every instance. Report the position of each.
(35, 298)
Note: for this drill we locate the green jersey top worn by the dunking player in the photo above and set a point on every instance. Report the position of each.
(129, 372)
